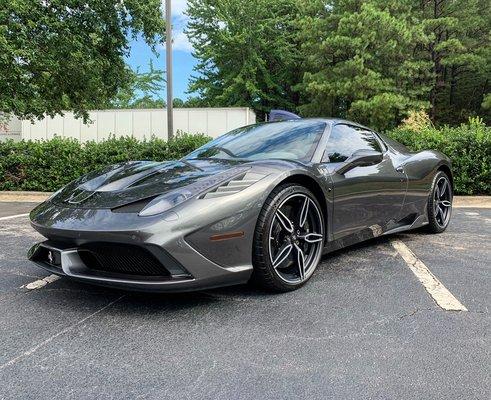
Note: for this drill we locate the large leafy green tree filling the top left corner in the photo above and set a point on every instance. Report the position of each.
(69, 54)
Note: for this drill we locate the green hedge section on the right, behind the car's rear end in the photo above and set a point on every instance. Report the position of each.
(468, 146)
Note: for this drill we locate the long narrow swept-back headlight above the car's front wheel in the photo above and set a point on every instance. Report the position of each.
(172, 199)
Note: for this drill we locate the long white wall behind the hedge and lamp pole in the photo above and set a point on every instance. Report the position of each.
(139, 123)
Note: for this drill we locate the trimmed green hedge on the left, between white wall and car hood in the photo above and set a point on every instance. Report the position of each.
(48, 165)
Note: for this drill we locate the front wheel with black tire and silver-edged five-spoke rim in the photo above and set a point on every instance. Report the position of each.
(289, 239)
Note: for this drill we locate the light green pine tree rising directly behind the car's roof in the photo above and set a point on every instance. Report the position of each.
(359, 61)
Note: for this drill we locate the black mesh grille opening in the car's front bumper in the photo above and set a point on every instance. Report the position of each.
(121, 259)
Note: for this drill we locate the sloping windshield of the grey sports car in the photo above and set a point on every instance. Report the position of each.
(289, 140)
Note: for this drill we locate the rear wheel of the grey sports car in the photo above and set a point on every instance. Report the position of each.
(439, 214)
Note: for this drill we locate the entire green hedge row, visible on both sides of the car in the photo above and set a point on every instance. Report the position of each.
(48, 165)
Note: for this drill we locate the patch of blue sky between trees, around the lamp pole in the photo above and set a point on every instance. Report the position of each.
(183, 59)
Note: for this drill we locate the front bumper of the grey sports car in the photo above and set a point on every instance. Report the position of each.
(185, 267)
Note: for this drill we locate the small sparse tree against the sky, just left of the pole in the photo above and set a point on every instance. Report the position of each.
(141, 90)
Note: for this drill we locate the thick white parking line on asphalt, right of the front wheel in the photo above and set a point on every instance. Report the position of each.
(433, 286)
